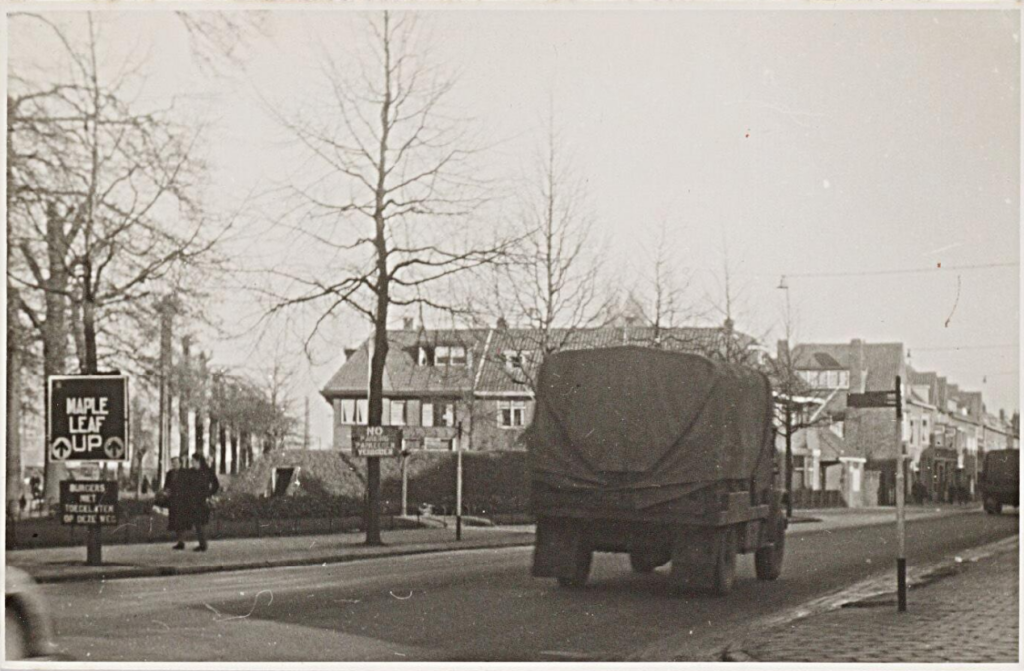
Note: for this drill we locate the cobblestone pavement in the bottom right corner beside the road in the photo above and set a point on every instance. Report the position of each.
(971, 616)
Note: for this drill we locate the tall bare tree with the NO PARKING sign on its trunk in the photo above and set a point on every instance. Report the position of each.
(391, 183)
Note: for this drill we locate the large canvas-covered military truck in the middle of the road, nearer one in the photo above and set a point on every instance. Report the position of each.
(663, 455)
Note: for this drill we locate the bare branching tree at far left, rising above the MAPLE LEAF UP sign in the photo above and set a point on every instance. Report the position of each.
(105, 207)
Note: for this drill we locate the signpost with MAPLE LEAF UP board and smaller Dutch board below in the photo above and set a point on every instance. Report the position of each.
(88, 422)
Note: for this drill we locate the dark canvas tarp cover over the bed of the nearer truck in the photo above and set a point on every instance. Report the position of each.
(648, 421)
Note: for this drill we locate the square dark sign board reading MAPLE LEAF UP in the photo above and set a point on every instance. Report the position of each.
(89, 418)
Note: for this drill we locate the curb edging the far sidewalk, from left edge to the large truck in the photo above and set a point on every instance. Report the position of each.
(163, 571)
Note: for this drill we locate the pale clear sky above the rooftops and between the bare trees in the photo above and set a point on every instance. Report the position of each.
(870, 157)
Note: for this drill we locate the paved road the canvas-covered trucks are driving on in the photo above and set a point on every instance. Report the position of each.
(473, 606)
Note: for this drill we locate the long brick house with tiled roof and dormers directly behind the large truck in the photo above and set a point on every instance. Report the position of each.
(480, 381)
